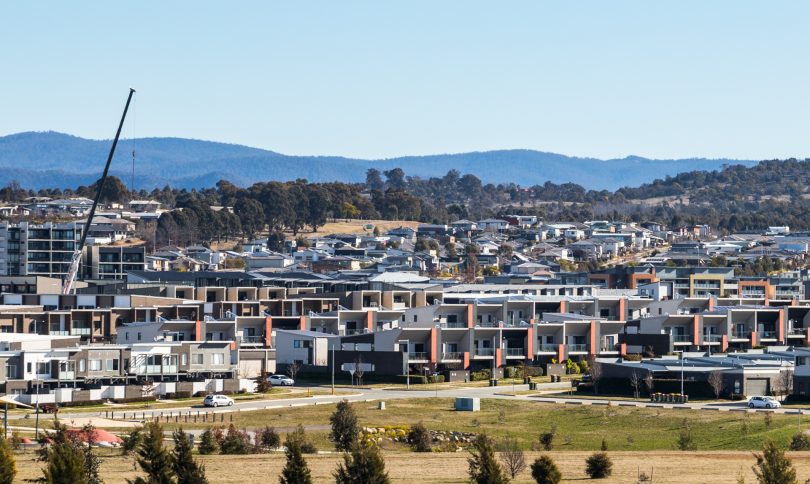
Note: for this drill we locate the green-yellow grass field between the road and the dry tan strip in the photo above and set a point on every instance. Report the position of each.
(577, 427)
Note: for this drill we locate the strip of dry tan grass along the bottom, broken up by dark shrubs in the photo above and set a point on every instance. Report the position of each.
(666, 467)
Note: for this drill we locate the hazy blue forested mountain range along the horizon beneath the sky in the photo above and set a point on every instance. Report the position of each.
(50, 159)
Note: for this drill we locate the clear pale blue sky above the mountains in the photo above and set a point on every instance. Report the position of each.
(381, 79)
